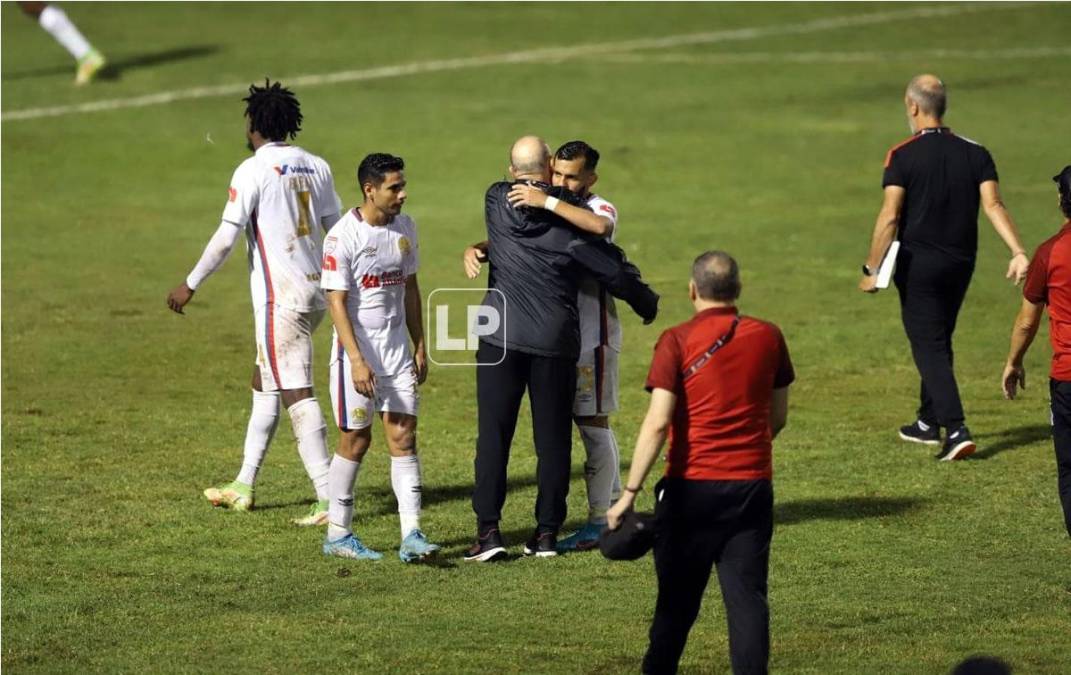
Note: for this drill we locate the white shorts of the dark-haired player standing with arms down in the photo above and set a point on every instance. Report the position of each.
(396, 394)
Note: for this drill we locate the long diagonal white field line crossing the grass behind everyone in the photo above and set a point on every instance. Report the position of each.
(531, 56)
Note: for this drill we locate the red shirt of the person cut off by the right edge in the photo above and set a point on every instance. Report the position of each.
(1049, 281)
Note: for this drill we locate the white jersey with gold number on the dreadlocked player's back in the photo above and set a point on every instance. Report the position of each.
(279, 197)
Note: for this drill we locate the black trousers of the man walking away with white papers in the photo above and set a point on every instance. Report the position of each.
(932, 288)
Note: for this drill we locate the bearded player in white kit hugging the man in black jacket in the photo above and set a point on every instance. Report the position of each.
(575, 168)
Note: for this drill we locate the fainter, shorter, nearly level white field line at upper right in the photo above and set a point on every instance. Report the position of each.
(836, 57)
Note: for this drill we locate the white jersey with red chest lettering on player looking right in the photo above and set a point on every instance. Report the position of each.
(372, 264)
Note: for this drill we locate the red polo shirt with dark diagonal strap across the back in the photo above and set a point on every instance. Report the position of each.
(721, 426)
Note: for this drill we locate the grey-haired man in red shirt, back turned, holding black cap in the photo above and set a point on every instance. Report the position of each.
(719, 387)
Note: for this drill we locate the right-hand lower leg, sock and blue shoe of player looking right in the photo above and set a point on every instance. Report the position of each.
(401, 430)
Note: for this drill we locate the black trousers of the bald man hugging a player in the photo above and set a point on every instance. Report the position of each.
(500, 387)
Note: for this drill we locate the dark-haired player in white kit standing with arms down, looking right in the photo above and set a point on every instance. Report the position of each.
(370, 275)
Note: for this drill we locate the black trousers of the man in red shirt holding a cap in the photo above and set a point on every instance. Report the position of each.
(704, 524)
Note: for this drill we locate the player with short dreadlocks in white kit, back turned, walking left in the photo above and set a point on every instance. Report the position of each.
(283, 199)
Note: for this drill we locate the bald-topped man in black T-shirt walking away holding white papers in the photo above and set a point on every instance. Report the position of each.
(934, 184)
